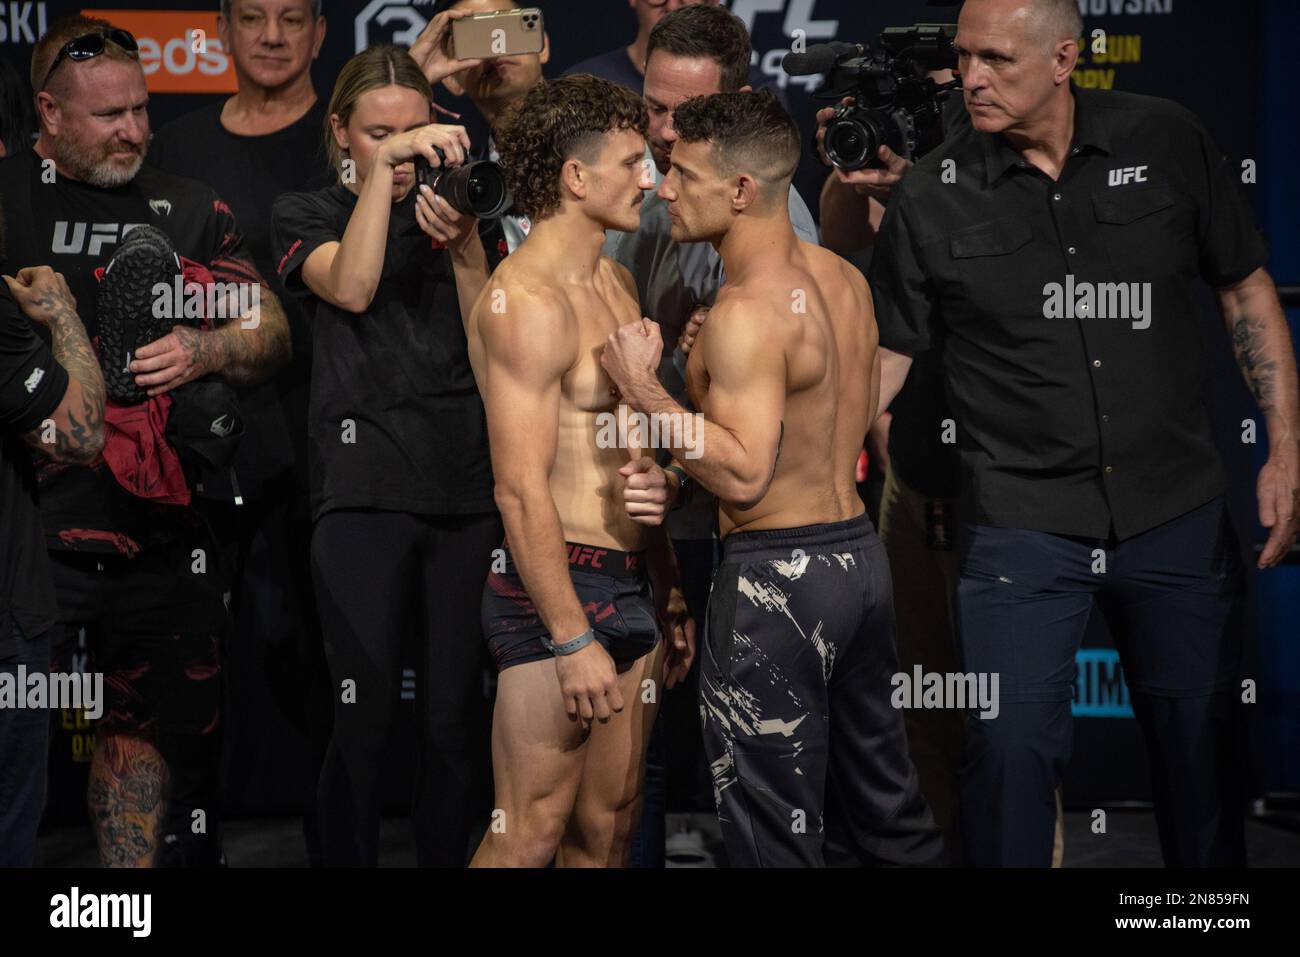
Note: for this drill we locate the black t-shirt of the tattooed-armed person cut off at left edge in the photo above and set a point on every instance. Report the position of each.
(32, 387)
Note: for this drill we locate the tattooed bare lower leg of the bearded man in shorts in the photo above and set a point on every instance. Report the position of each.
(127, 800)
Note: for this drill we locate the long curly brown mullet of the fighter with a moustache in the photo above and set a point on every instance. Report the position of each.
(560, 120)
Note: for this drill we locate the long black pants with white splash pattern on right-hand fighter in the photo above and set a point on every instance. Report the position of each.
(796, 692)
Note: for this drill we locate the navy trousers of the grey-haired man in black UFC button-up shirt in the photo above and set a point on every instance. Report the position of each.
(1173, 600)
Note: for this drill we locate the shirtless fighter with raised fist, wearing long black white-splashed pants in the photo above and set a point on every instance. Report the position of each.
(800, 648)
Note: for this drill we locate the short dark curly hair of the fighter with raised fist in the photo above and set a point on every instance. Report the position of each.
(749, 132)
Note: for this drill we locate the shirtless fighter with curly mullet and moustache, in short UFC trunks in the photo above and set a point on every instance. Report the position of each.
(573, 618)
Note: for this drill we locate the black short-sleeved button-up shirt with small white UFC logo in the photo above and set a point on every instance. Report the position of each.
(1077, 413)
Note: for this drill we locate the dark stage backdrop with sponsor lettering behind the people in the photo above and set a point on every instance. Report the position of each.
(1204, 54)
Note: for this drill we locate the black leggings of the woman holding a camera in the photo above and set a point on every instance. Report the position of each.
(382, 577)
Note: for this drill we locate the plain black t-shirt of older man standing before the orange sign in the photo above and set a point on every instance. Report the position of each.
(250, 174)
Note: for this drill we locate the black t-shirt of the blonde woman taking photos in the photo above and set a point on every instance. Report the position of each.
(396, 419)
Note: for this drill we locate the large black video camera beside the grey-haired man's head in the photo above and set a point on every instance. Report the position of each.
(895, 102)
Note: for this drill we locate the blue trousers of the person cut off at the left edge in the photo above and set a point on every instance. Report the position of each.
(24, 756)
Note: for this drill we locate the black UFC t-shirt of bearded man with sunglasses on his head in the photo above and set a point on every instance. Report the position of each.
(75, 228)
